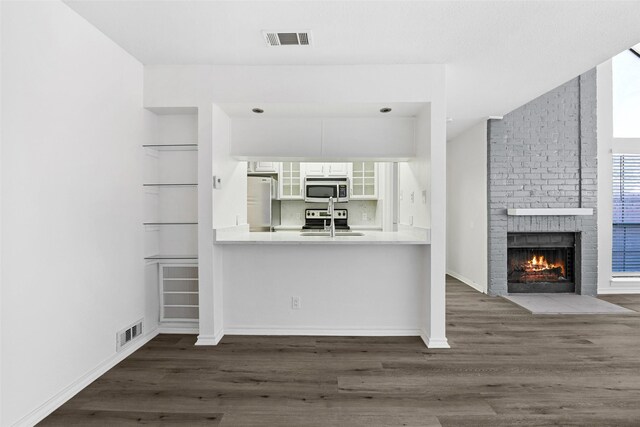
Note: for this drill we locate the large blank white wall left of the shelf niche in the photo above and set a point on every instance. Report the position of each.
(72, 239)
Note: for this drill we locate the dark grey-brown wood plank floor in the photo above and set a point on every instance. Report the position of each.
(505, 368)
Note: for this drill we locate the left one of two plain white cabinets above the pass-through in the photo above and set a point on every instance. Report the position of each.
(300, 137)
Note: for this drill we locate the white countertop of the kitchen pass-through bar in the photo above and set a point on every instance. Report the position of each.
(241, 235)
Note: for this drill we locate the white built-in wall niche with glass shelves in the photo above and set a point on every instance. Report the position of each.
(170, 187)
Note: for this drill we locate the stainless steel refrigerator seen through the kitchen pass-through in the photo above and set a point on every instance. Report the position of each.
(263, 206)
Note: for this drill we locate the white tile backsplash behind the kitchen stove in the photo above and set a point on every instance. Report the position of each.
(292, 212)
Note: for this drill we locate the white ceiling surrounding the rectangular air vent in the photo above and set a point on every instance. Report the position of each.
(500, 54)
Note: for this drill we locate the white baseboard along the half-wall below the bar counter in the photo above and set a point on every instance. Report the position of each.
(322, 332)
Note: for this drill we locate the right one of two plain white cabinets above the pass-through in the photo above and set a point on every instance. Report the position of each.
(366, 137)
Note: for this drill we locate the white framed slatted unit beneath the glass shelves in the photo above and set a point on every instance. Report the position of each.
(179, 300)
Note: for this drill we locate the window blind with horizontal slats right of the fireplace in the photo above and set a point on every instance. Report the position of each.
(626, 213)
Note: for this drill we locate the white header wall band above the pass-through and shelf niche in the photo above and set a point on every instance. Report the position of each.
(181, 85)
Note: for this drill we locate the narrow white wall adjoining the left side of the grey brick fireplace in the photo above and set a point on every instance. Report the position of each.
(467, 207)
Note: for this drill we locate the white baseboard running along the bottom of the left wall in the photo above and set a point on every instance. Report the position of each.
(74, 388)
